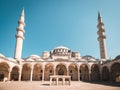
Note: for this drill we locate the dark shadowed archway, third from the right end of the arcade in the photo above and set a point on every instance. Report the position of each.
(95, 72)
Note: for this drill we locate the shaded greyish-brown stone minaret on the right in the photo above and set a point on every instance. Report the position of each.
(101, 38)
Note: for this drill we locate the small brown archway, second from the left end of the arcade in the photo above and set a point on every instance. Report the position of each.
(15, 73)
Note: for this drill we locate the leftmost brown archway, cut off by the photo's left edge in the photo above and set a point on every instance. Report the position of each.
(4, 70)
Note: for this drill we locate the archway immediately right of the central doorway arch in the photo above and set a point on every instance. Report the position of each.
(73, 71)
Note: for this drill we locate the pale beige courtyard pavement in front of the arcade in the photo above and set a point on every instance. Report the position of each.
(75, 85)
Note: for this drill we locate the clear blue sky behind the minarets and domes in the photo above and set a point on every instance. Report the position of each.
(52, 23)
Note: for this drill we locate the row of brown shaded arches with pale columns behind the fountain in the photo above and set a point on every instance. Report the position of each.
(77, 73)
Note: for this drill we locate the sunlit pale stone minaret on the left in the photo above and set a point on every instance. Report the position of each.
(20, 36)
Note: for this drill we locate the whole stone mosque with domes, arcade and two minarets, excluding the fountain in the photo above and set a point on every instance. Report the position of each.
(59, 61)
